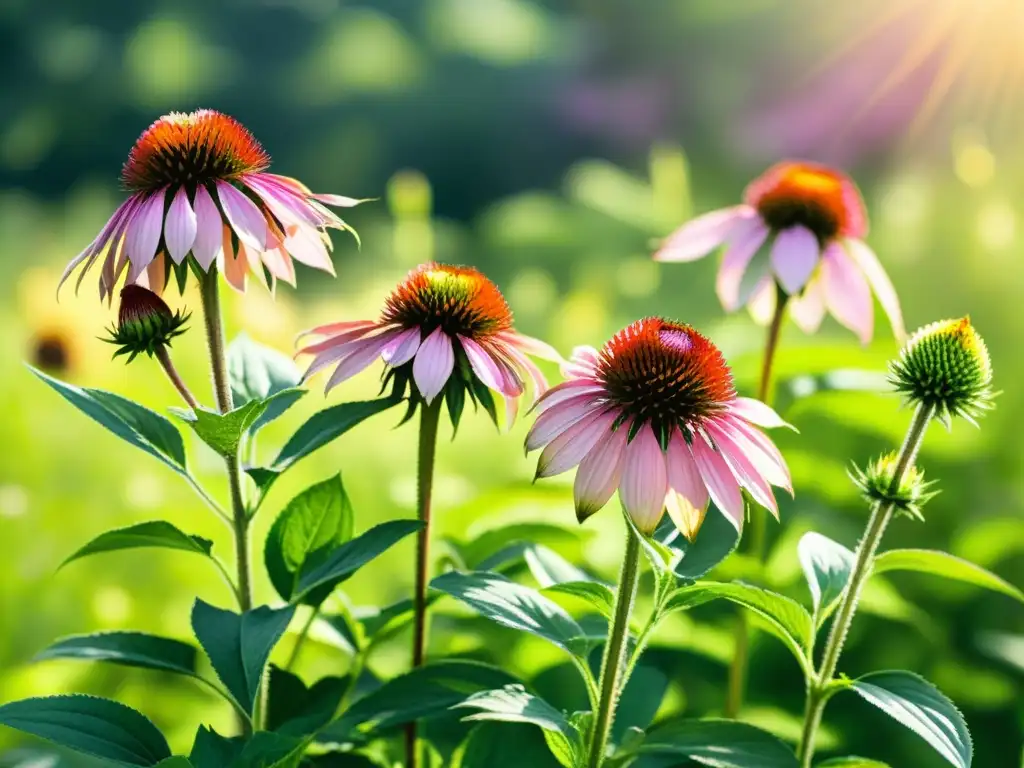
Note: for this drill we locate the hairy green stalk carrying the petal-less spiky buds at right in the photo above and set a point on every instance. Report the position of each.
(821, 689)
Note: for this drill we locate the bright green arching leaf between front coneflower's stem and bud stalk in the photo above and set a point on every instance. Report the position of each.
(787, 619)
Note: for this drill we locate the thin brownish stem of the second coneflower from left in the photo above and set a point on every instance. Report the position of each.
(430, 416)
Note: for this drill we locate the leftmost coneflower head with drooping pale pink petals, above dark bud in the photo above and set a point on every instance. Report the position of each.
(199, 185)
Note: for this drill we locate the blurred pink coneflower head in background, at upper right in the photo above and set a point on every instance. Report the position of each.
(809, 223)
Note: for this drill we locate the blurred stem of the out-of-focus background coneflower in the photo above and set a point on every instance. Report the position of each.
(759, 521)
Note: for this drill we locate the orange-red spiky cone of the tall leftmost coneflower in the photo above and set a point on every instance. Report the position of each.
(190, 149)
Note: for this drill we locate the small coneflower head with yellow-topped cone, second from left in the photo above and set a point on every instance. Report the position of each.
(440, 320)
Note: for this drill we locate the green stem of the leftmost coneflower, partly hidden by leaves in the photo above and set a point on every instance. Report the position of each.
(223, 392)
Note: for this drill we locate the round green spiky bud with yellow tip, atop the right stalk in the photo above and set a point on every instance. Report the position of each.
(946, 367)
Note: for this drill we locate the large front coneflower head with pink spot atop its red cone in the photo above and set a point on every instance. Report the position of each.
(655, 415)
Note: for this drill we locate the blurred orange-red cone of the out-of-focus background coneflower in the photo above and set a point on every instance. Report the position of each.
(818, 198)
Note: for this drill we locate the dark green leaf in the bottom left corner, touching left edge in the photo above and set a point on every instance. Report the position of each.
(94, 727)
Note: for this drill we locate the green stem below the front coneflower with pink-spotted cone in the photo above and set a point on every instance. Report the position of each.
(615, 651)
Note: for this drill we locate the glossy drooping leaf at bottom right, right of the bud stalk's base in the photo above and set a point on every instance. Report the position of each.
(918, 705)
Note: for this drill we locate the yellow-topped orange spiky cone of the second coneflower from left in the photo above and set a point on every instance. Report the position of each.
(457, 300)
